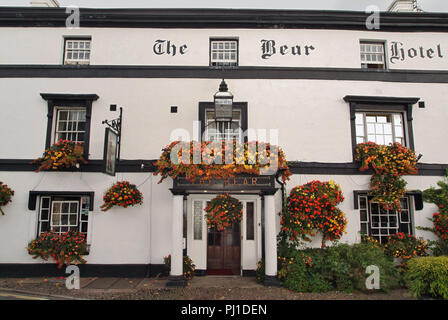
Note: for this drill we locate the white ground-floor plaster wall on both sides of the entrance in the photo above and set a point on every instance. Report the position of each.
(141, 234)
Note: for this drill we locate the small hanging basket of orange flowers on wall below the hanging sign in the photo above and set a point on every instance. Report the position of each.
(123, 194)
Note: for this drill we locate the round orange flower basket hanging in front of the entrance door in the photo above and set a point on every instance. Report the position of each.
(223, 211)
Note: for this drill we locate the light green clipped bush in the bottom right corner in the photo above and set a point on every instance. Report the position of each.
(428, 276)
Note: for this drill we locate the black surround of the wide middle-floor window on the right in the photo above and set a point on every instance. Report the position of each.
(382, 104)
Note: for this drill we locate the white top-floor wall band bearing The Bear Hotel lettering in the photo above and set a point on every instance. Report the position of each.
(134, 46)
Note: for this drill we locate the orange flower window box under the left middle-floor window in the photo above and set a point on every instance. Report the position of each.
(62, 154)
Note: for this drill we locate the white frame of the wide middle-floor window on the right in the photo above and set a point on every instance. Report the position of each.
(361, 120)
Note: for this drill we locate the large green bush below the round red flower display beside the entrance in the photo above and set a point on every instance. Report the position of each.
(341, 267)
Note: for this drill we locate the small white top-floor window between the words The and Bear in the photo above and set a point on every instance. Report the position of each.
(221, 51)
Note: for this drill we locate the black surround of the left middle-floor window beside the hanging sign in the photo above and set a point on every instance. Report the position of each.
(69, 100)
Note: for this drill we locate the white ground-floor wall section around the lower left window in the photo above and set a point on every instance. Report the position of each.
(116, 236)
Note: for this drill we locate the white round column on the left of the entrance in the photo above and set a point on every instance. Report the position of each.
(177, 236)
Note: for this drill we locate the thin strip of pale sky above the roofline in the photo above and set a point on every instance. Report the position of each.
(357, 5)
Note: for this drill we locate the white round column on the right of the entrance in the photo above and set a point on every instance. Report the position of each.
(270, 236)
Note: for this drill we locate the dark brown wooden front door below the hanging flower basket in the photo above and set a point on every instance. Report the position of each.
(224, 250)
